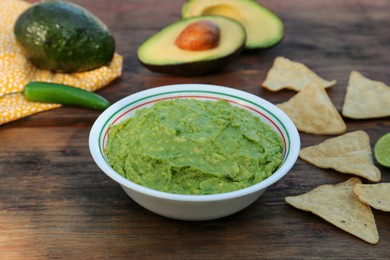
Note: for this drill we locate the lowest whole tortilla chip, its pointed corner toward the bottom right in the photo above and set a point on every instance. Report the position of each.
(338, 205)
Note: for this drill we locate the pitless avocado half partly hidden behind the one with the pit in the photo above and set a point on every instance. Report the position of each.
(264, 28)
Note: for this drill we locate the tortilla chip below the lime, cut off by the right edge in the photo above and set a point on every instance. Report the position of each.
(375, 195)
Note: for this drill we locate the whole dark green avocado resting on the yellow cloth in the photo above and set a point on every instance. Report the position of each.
(63, 37)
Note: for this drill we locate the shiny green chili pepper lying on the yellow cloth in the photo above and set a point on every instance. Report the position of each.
(63, 94)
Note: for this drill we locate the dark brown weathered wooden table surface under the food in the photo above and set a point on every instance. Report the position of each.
(56, 203)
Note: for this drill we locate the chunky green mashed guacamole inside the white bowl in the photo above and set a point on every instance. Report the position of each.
(190, 146)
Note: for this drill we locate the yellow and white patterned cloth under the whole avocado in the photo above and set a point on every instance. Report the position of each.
(16, 71)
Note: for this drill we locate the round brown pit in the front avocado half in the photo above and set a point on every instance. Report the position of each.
(199, 36)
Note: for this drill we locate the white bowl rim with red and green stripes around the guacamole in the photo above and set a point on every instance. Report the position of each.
(108, 117)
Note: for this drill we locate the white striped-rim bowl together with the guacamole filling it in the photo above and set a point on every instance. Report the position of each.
(194, 151)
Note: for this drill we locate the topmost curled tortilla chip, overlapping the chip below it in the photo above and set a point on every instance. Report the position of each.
(285, 73)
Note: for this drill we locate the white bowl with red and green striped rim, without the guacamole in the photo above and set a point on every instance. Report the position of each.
(194, 207)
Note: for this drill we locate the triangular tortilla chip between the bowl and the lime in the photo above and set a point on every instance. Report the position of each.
(349, 153)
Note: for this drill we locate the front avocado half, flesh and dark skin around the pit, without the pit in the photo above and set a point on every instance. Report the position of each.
(159, 53)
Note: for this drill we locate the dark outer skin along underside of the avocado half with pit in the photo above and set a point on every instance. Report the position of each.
(198, 68)
